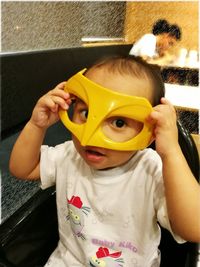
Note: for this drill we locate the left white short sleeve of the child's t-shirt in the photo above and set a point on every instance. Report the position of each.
(47, 166)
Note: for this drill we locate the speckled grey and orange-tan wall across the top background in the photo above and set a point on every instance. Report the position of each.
(58, 24)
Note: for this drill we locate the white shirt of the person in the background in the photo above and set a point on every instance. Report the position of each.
(145, 46)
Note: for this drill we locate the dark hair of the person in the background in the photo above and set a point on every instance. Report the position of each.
(163, 26)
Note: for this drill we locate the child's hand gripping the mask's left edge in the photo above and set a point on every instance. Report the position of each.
(45, 112)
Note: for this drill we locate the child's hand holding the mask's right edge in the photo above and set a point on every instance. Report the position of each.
(165, 129)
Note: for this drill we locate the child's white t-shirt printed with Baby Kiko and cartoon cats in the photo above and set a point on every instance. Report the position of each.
(106, 218)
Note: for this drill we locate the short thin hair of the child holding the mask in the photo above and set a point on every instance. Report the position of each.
(136, 67)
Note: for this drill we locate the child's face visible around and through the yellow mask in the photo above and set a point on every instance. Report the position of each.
(118, 129)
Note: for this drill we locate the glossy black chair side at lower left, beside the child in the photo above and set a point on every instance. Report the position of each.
(30, 235)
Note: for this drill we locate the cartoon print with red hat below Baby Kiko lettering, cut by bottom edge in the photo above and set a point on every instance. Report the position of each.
(104, 258)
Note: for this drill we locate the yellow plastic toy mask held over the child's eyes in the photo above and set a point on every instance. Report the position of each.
(103, 104)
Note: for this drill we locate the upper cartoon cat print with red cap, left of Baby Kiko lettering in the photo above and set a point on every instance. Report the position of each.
(76, 215)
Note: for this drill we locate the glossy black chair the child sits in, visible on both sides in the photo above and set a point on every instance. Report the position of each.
(29, 236)
